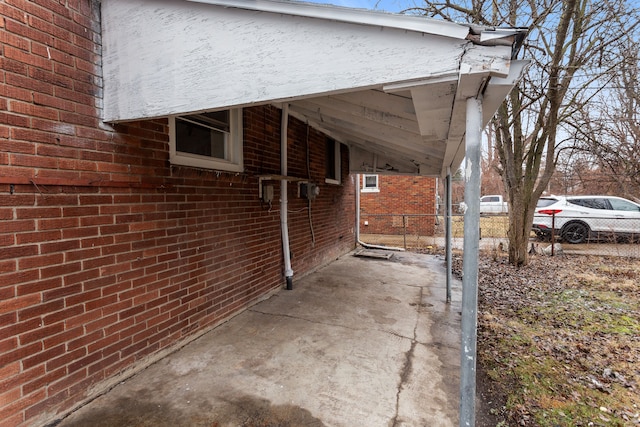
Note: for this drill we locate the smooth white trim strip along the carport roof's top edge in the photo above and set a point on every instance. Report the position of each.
(350, 15)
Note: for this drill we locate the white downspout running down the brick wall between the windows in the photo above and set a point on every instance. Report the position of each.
(284, 202)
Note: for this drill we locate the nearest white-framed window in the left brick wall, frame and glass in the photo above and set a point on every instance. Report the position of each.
(207, 140)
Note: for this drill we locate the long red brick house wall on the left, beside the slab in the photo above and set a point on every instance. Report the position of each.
(108, 254)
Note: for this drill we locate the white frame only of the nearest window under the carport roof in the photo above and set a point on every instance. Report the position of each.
(233, 149)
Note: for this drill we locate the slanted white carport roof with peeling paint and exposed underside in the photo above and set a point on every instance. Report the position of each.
(392, 87)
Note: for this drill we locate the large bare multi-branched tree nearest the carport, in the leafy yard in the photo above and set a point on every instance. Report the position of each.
(573, 45)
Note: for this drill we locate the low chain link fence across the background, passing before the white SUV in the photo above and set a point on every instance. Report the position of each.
(426, 233)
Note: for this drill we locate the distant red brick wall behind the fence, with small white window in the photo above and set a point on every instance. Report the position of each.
(414, 197)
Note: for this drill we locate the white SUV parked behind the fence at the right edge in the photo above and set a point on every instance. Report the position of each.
(577, 219)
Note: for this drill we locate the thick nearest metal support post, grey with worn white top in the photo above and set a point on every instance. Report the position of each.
(470, 263)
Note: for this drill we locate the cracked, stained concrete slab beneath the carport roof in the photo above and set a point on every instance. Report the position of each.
(360, 342)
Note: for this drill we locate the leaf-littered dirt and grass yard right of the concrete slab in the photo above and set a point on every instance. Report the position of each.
(558, 341)
